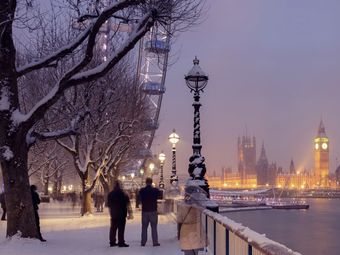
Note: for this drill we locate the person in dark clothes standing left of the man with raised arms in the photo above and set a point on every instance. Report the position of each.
(120, 207)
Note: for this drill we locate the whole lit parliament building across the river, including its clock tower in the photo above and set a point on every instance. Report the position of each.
(259, 173)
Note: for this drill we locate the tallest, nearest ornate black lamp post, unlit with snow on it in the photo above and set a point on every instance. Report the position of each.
(196, 80)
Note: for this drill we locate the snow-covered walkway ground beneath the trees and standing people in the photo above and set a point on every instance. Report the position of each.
(67, 233)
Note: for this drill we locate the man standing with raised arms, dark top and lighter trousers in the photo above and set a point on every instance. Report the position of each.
(148, 197)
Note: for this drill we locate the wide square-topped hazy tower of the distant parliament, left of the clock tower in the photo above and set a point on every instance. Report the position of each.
(246, 155)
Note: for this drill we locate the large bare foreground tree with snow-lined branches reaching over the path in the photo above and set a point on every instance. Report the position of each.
(17, 125)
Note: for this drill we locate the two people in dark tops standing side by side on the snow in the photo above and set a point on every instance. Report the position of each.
(120, 209)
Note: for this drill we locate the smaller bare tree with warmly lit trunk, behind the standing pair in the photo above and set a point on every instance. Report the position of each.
(116, 113)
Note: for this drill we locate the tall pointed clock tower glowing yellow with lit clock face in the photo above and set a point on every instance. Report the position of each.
(321, 157)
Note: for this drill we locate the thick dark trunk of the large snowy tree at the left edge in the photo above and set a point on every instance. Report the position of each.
(18, 196)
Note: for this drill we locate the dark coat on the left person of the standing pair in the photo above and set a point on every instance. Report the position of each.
(119, 203)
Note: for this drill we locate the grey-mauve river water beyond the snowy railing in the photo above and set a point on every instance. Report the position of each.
(314, 231)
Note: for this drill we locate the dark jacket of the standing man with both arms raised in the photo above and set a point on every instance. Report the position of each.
(148, 197)
